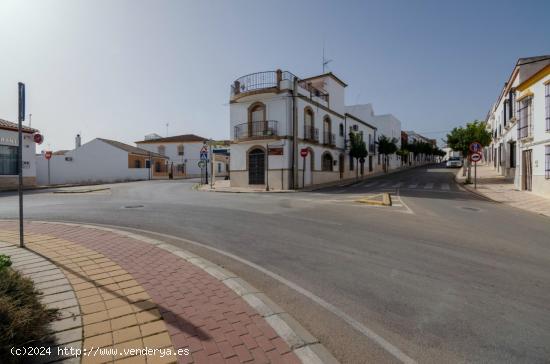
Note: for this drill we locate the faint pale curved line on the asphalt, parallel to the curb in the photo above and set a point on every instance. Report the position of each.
(386, 345)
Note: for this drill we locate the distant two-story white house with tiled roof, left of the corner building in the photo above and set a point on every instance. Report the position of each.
(183, 151)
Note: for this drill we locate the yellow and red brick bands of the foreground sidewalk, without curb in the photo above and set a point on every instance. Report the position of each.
(133, 294)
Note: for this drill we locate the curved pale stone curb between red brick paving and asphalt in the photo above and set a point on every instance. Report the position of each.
(301, 342)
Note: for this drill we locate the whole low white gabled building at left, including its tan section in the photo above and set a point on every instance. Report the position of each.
(100, 161)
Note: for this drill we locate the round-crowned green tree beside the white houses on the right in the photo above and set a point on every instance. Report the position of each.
(459, 139)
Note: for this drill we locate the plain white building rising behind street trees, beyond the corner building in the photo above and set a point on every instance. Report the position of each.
(387, 125)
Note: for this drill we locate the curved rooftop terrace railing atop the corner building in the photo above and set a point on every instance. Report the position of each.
(268, 81)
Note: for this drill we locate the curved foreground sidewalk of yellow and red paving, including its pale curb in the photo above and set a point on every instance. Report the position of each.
(132, 292)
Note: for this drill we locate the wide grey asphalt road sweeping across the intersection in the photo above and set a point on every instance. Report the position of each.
(443, 275)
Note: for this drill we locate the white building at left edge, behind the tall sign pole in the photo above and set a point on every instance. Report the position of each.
(9, 142)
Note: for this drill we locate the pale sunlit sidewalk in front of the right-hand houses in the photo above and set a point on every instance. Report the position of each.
(500, 189)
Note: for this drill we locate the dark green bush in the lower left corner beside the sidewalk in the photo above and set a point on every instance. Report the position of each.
(23, 318)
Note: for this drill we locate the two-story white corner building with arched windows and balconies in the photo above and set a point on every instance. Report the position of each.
(276, 116)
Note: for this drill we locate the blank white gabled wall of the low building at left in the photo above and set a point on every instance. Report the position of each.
(93, 162)
